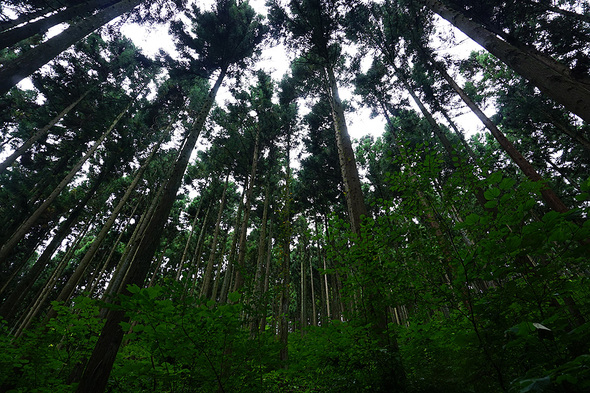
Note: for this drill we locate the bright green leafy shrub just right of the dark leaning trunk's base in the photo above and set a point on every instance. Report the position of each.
(189, 345)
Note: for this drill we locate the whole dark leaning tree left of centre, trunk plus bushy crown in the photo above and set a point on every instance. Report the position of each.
(230, 23)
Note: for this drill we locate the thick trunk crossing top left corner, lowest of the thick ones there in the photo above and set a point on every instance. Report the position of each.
(24, 65)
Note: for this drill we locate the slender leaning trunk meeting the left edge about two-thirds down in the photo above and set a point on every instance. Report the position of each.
(32, 220)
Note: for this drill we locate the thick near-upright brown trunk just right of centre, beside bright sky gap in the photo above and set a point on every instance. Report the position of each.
(355, 201)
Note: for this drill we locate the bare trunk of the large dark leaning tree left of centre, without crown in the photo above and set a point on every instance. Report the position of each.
(101, 361)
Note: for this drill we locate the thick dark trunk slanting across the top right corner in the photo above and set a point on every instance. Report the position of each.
(550, 76)
